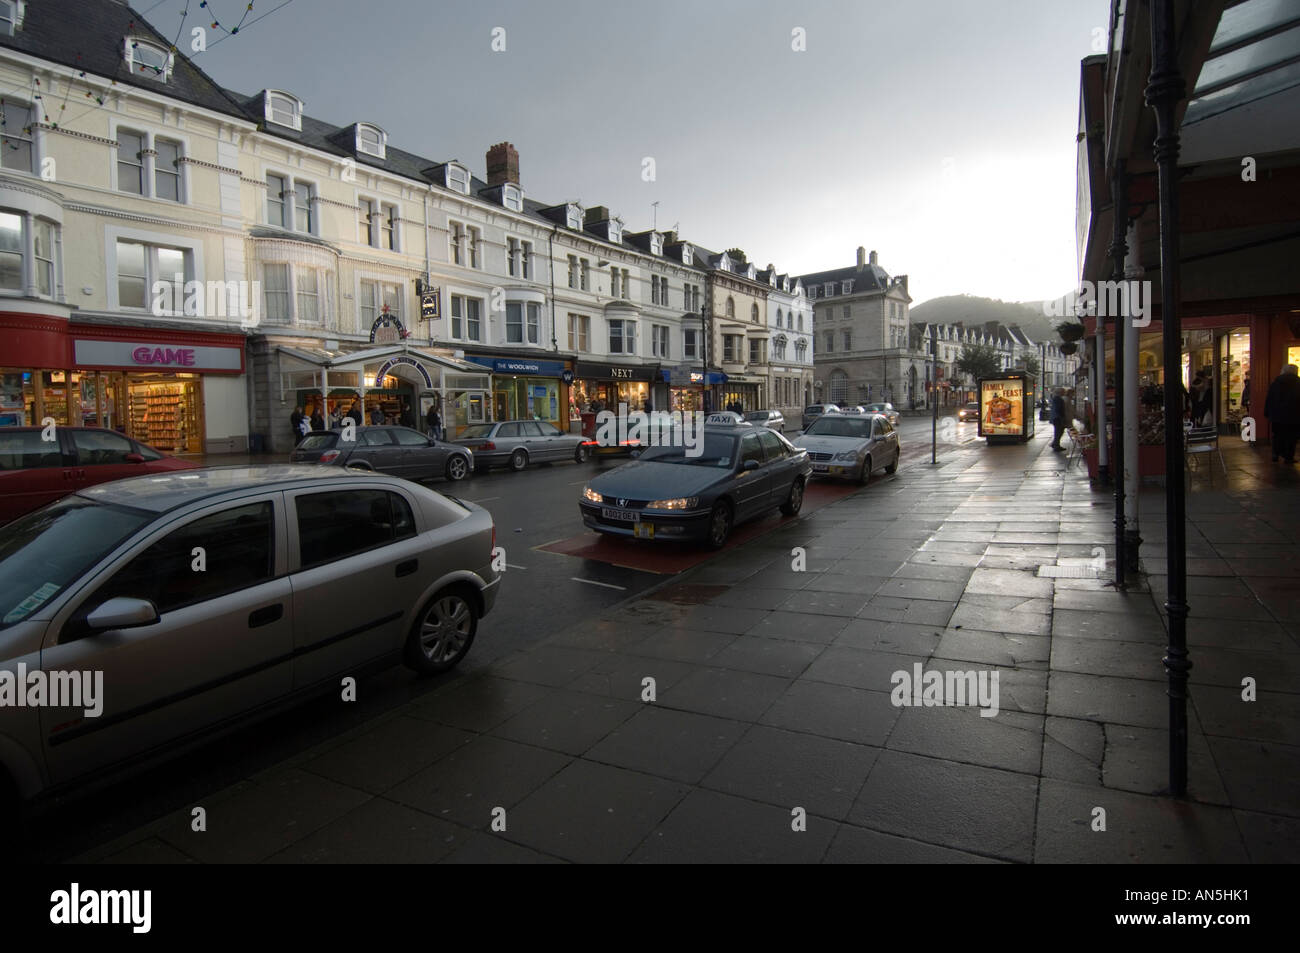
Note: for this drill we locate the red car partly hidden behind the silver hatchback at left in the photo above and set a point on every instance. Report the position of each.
(34, 471)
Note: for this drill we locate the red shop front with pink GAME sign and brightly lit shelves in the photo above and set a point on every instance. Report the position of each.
(179, 392)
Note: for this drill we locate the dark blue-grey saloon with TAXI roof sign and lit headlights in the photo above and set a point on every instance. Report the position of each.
(740, 473)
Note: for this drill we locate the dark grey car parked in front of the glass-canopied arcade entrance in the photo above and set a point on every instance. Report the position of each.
(395, 450)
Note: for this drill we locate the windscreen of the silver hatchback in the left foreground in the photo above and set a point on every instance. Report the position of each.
(46, 552)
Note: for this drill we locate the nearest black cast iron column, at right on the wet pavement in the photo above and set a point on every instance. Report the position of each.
(1164, 92)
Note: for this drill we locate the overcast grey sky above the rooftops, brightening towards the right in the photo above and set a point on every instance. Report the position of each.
(941, 133)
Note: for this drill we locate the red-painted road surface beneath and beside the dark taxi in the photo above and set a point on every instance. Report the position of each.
(666, 557)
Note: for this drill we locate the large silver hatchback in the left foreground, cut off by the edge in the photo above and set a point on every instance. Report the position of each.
(310, 575)
